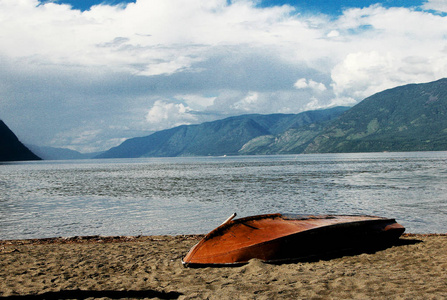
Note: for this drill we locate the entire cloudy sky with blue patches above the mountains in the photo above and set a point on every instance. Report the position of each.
(87, 75)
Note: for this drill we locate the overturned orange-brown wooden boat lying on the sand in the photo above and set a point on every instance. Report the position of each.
(281, 237)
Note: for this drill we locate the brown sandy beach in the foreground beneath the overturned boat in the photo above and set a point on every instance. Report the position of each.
(150, 267)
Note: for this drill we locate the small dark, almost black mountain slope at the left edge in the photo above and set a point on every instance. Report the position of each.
(11, 149)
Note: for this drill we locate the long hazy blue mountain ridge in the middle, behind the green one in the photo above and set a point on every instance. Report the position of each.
(222, 137)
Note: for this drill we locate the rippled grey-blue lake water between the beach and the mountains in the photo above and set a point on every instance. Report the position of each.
(194, 195)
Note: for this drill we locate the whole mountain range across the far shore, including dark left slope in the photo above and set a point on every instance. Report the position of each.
(407, 118)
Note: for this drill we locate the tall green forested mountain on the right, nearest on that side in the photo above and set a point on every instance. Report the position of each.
(407, 118)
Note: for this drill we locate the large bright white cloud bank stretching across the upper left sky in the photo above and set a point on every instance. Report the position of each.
(156, 36)
